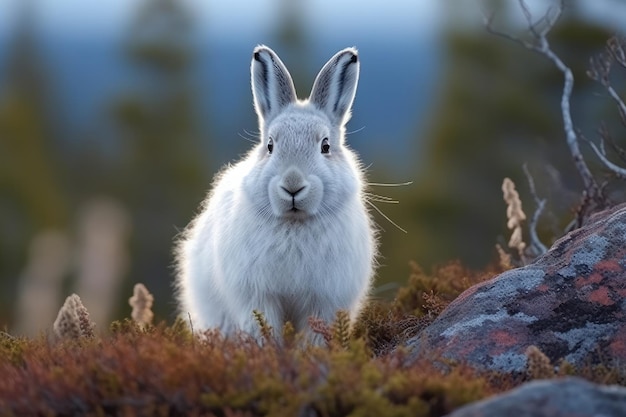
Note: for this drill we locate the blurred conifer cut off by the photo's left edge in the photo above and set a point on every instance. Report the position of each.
(32, 198)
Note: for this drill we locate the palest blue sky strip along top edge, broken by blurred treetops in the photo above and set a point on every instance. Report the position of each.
(232, 16)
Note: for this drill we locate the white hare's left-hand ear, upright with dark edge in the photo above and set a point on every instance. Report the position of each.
(272, 86)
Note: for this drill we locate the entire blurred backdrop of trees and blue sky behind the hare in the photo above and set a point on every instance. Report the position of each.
(114, 116)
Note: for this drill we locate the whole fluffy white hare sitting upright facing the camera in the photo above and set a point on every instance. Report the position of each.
(285, 231)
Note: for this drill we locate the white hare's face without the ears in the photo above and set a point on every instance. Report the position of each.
(304, 166)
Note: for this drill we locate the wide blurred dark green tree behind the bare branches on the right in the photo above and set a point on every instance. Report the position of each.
(498, 108)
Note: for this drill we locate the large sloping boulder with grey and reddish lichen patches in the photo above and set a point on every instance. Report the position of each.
(570, 303)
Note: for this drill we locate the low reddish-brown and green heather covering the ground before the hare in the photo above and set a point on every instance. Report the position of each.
(139, 368)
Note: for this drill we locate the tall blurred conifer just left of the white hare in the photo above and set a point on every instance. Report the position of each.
(164, 170)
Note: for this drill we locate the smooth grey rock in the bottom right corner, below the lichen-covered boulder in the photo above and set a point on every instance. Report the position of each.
(567, 397)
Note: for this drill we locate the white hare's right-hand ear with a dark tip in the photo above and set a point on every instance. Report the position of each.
(335, 85)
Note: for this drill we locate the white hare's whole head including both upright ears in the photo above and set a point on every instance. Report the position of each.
(301, 168)
